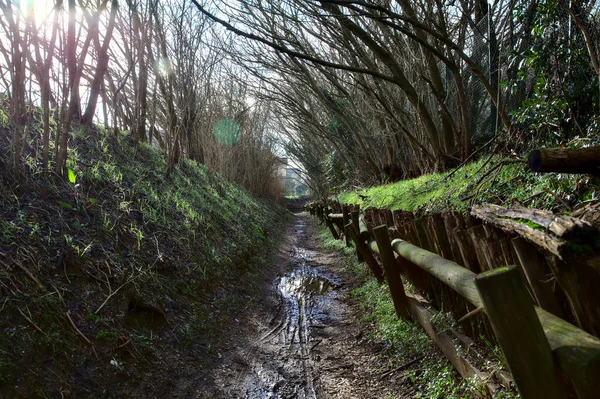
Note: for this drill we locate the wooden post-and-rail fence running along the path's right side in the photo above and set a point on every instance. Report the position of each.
(533, 361)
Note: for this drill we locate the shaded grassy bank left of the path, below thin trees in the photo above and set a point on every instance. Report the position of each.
(119, 269)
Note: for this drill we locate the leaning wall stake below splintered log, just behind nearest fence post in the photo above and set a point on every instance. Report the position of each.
(531, 264)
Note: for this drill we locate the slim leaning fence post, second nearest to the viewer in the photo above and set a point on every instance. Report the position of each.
(392, 274)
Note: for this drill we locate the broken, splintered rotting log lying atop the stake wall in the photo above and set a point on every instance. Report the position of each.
(562, 236)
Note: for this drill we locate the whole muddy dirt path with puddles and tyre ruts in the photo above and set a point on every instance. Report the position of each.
(306, 341)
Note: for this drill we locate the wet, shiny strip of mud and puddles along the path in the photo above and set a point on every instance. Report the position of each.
(282, 362)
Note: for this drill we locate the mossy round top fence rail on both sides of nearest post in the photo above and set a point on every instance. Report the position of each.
(577, 352)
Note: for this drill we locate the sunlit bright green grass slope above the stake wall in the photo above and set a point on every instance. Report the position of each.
(477, 182)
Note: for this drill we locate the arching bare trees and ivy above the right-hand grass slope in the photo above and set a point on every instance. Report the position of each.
(376, 91)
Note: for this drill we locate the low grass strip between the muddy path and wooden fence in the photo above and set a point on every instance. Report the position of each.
(433, 376)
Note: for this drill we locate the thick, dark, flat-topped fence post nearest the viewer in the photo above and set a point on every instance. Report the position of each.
(519, 331)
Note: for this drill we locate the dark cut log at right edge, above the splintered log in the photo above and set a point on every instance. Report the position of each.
(563, 160)
